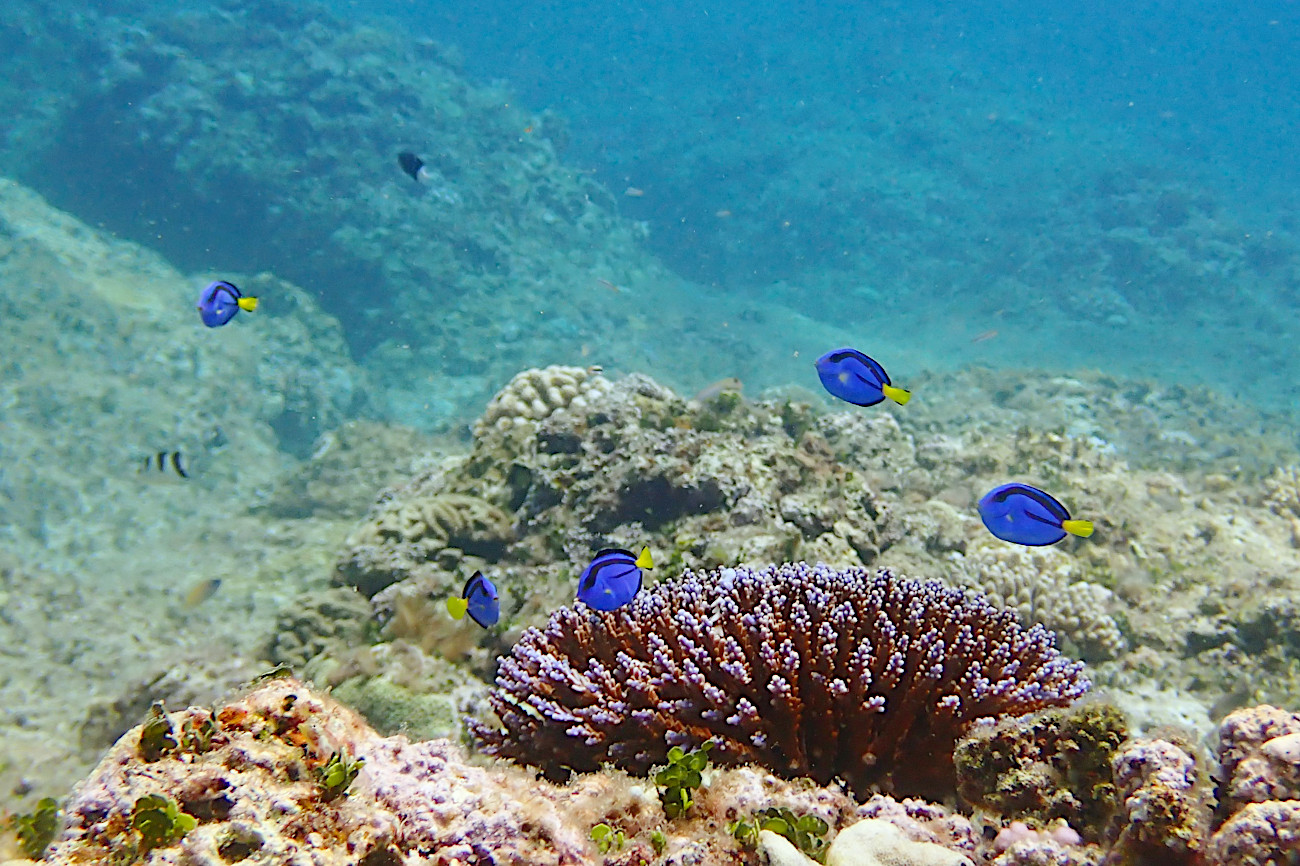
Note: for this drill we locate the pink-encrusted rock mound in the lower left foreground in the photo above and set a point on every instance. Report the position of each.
(254, 787)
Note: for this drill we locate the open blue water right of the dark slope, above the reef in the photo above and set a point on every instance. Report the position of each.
(1107, 185)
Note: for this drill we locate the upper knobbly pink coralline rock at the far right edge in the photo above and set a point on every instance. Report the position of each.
(1259, 757)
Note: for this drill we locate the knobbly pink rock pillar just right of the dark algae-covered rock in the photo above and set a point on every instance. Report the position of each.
(1164, 802)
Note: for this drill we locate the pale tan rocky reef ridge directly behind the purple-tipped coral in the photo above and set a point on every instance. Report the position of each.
(733, 480)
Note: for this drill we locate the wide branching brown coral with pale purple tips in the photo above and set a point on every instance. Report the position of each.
(805, 670)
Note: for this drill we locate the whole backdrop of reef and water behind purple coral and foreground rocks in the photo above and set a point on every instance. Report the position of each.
(1072, 232)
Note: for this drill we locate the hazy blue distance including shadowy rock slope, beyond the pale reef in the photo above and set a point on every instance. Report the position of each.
(1106, 188)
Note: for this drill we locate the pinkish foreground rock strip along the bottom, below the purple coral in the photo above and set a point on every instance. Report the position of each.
(287, 774)
